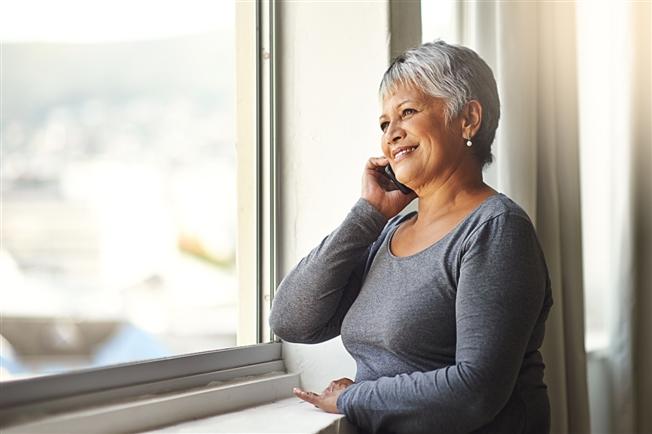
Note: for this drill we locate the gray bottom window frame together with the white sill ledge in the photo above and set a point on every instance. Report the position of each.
(245, 389)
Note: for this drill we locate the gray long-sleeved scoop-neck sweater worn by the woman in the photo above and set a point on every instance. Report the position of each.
(445, 340)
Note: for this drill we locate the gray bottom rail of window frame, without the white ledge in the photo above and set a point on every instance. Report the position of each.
(148, 394)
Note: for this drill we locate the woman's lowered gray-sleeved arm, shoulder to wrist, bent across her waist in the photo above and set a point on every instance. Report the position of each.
(500, 295)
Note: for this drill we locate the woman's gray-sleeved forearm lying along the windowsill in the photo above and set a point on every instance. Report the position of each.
(446, 400)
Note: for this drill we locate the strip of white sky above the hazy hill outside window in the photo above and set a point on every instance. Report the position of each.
(79, 21)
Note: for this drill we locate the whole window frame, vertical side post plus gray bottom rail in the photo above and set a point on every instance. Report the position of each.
(153, 393)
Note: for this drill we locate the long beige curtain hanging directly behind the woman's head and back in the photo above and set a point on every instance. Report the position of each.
(531, 48)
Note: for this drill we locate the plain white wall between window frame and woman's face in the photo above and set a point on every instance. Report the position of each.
(328, 128)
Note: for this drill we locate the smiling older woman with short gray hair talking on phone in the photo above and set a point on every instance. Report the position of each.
(443, 309)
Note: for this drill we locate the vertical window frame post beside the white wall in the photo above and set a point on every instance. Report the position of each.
(257, 234)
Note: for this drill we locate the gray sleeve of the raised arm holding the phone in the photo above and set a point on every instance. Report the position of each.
(313, 298)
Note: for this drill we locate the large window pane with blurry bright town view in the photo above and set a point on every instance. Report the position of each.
(118, 170)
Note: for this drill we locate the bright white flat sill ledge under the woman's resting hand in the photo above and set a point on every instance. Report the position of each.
(289, 415)
